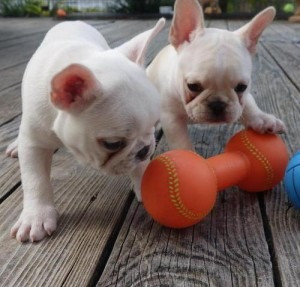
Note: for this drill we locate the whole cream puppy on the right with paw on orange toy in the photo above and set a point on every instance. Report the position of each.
(204, 76)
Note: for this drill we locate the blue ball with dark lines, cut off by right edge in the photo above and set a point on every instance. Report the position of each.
(292, 180)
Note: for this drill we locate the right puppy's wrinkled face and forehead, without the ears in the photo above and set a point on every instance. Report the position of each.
(216, 70)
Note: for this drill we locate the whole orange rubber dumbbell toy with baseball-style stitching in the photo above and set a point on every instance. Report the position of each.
(179, 187)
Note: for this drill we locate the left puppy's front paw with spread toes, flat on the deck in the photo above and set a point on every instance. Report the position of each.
(35, 223)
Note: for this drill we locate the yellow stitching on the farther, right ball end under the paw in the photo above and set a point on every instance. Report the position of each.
(260, 157)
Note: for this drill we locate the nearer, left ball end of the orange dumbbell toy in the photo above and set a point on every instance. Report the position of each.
(178, 188)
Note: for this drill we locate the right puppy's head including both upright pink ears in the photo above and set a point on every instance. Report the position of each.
(214, 65)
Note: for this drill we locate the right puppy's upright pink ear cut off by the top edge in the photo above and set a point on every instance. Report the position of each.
(188, 17)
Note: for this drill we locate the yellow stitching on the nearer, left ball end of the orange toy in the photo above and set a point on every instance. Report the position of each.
(173, 188)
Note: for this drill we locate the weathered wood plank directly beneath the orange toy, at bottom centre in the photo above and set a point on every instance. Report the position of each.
(228, 248)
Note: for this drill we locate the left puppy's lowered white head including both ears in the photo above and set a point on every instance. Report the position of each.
(107, 108)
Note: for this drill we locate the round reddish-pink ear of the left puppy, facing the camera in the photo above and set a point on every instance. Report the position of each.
(74, 88)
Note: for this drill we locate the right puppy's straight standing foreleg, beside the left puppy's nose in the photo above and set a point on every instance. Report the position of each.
(176, 132)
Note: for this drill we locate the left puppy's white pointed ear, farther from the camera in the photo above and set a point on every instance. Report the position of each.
(136, 48)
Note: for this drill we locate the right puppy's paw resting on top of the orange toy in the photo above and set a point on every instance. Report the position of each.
(266, 123)
